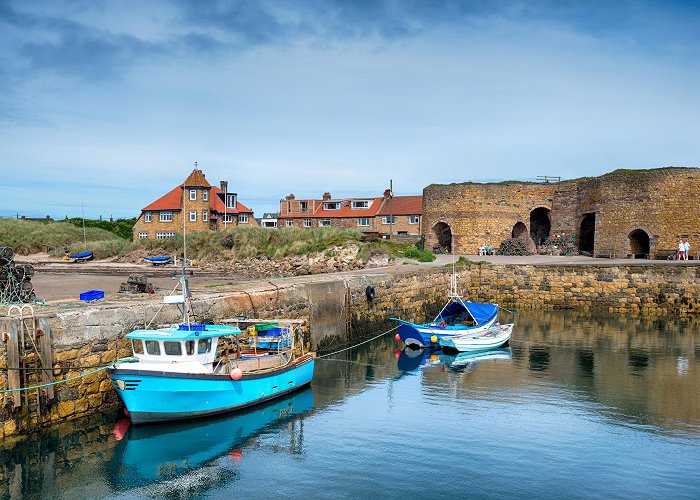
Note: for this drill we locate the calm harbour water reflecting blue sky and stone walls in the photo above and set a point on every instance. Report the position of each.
(580, 405)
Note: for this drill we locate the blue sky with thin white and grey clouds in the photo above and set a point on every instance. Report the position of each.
(106, 105)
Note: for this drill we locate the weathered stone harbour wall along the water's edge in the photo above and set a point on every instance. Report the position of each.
(94, 336)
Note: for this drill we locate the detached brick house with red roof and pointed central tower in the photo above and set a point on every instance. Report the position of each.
(204, 207)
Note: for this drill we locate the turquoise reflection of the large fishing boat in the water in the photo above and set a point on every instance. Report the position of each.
(152, 454)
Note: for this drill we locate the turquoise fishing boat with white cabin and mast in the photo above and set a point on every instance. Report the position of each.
(190, 370)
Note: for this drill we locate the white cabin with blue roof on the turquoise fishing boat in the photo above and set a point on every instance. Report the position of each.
(180, 346)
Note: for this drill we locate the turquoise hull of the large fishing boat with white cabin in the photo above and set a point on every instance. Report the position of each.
(157, 396)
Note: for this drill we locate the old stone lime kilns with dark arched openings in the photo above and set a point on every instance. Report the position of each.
(625, 213)
